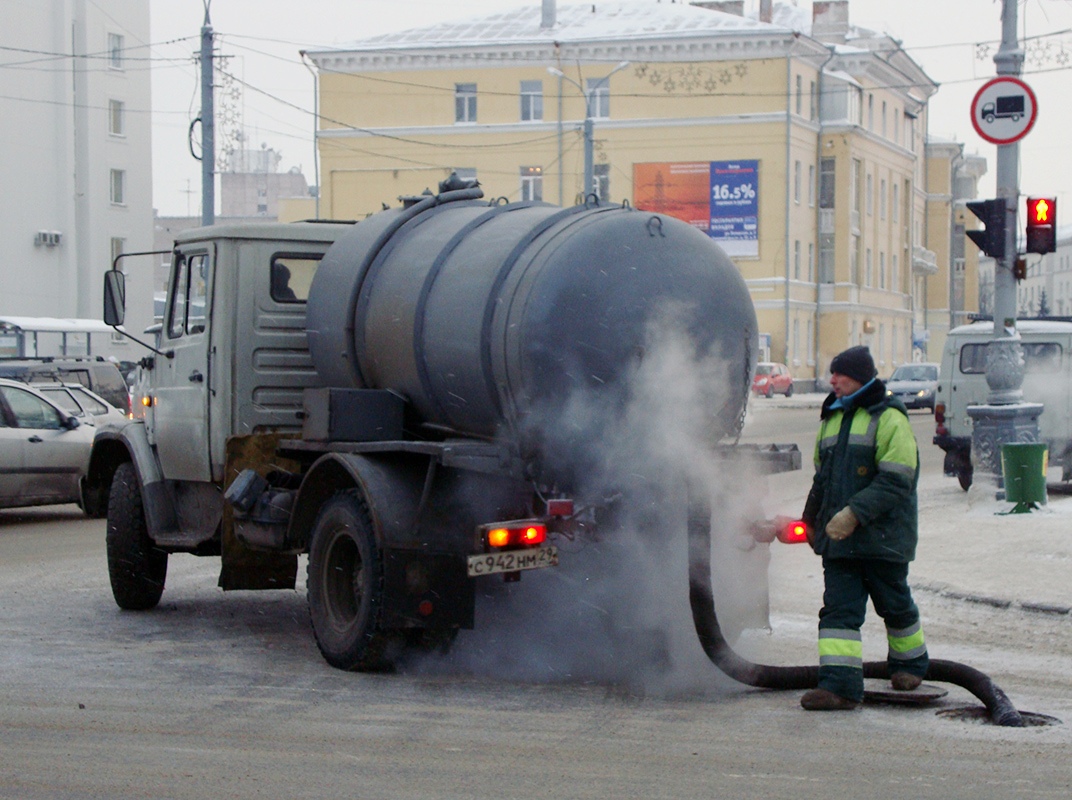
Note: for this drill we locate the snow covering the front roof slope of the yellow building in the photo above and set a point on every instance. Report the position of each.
(603, 20)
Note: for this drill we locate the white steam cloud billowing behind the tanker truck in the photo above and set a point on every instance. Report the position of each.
(617, 609)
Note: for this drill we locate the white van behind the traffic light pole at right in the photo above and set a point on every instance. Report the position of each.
(1048, 380)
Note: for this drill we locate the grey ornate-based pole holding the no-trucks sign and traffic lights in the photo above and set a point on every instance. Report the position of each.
(1006, 418)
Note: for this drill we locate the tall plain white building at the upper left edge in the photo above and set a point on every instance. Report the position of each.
(76, 127)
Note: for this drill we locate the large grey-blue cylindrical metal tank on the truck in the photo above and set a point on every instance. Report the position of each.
(490, 318)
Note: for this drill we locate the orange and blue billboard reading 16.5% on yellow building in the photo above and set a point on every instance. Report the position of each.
(720, 198)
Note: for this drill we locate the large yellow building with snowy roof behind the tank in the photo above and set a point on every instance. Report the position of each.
(798, 144)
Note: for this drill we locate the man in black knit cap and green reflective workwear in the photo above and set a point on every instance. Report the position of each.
(861, 517)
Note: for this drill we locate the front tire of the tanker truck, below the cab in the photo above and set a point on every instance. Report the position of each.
(137, 568)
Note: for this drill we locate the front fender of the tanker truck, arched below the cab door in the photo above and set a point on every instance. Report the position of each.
(129, 443)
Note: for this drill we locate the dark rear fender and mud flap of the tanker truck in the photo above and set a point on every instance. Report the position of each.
(391, 487)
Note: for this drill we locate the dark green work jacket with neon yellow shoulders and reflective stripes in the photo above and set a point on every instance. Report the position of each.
(867, 458)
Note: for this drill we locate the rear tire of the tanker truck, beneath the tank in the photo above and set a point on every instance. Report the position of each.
(346, 586)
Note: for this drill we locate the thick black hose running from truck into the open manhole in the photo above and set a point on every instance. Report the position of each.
(703, 602)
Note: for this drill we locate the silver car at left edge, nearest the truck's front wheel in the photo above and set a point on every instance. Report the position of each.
(44, 452)
